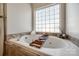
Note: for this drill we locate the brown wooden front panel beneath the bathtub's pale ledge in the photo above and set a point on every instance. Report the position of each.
(18, 50)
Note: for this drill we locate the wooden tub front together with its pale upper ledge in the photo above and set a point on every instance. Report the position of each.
(17, 48)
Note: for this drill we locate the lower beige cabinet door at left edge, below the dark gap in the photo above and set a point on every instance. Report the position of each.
(1, 36)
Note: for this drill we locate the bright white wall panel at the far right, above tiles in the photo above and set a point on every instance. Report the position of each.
(72, 19)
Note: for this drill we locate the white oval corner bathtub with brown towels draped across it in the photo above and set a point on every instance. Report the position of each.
(53, 45)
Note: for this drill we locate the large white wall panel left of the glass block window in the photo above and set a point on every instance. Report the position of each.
(18, 18)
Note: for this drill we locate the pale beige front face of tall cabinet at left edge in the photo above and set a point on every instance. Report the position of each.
(1, 29)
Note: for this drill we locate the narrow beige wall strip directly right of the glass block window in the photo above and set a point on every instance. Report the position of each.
(62, 17)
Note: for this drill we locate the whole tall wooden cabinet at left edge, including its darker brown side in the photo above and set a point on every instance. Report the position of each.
(2, 27)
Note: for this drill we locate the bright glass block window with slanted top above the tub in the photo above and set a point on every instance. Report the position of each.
(47, 19)
